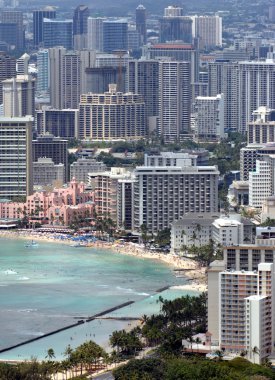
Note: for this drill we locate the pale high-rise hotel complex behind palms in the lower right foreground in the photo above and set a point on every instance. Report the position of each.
(241, 293)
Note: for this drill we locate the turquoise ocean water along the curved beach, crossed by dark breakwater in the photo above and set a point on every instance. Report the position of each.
(50, 286)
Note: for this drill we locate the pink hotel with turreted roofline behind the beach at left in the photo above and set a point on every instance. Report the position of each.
(60, 206)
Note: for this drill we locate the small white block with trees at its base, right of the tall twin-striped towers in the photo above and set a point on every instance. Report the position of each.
(209, 118)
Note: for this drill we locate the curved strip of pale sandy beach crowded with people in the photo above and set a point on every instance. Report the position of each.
(188, 268)
